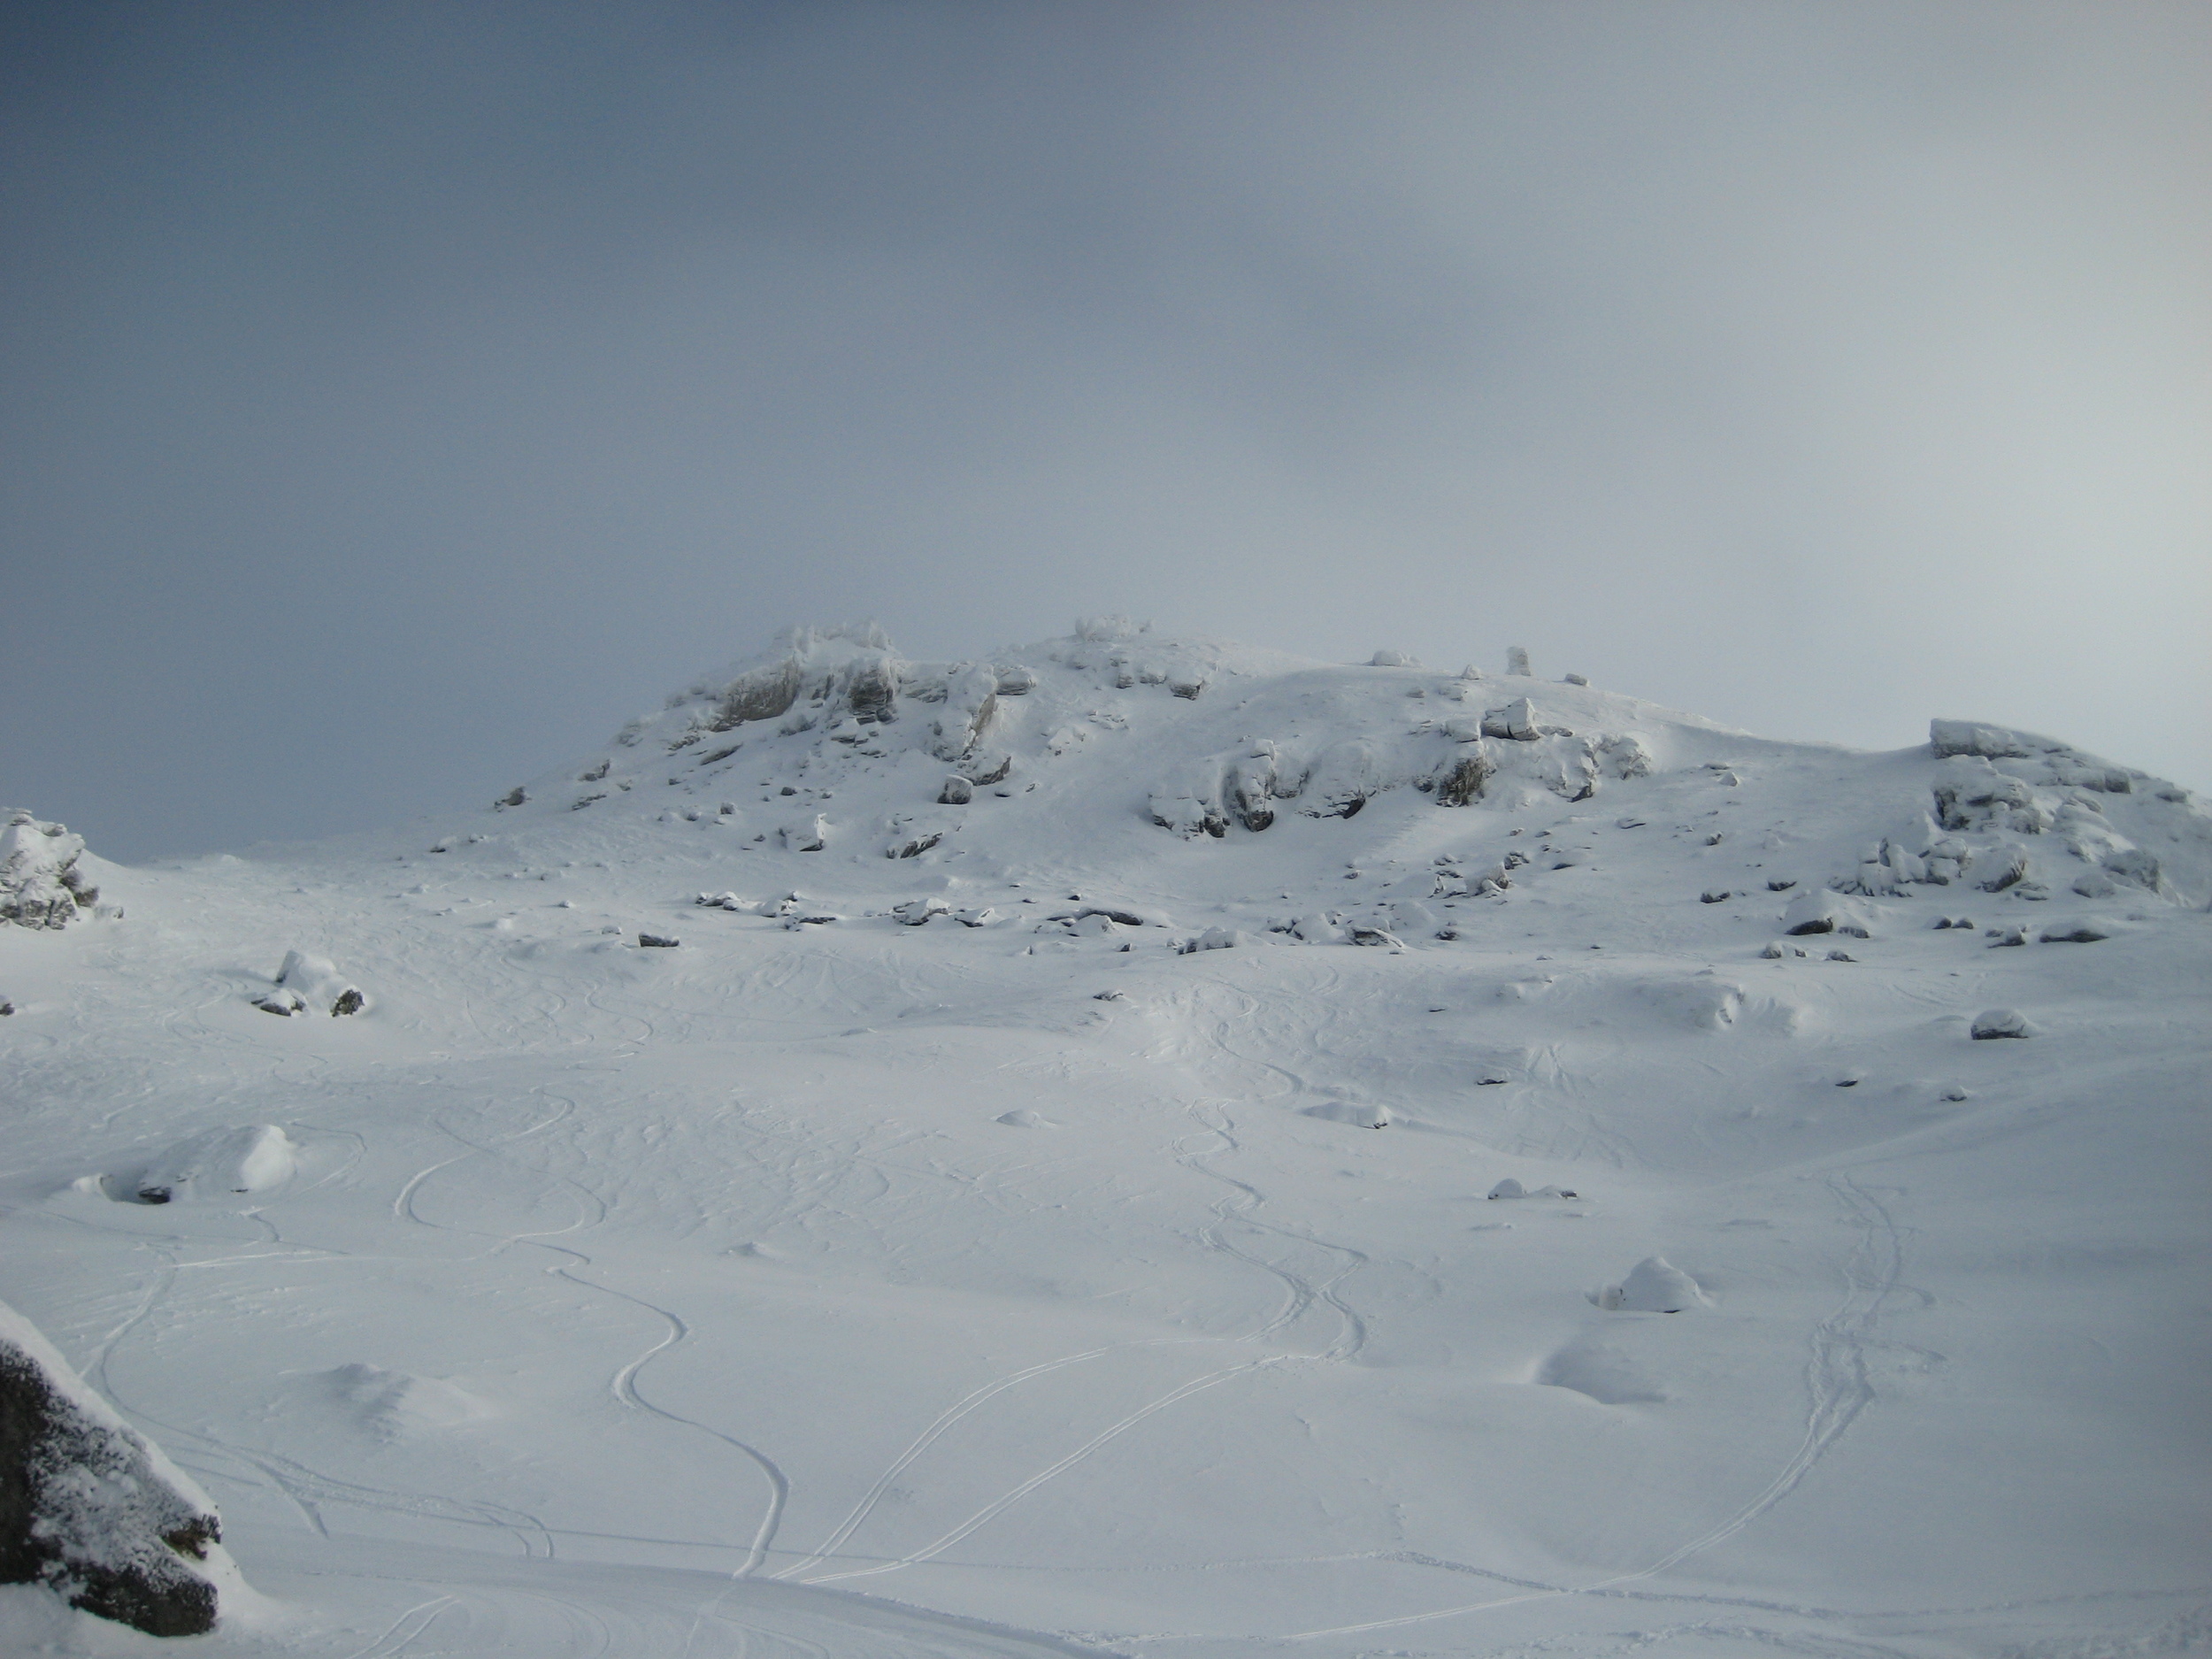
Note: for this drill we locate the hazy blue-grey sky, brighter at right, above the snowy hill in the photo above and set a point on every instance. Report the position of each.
(399, 397)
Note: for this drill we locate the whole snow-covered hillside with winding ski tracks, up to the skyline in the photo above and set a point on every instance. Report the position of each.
(1012, 1158)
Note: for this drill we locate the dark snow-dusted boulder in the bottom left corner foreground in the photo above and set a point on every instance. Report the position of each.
(90, 1507)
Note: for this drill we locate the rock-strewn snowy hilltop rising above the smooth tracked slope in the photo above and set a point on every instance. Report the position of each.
(1096, 753)
